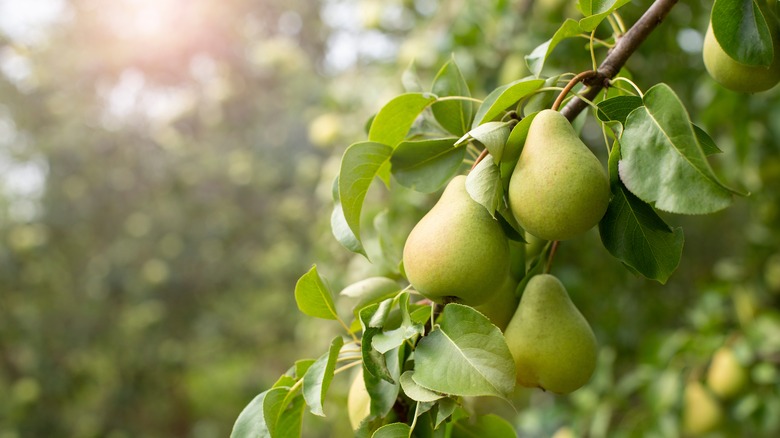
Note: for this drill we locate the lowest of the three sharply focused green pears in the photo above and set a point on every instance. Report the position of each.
(552, 344)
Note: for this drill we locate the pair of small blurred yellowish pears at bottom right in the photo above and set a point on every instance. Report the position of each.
(726, 378)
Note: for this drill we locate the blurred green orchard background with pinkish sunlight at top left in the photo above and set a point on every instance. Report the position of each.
(165, 174)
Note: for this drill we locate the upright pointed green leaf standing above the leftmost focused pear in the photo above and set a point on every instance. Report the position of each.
(454, 115)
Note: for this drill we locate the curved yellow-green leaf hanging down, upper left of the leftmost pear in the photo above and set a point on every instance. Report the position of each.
(359, 165)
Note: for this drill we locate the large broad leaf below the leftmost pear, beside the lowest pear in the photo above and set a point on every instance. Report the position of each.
(465, 356)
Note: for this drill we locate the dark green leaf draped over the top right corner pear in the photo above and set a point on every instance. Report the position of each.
(742, 32)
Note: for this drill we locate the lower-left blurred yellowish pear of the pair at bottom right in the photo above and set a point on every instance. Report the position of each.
(701, 411)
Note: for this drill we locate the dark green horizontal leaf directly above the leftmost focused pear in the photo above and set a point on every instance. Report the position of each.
(426, 165)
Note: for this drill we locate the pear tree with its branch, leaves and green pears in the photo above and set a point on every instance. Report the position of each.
(473, 309)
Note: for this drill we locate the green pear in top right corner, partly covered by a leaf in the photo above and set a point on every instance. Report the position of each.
(735, 75)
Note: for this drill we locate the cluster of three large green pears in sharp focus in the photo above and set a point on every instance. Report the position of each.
(458, 252)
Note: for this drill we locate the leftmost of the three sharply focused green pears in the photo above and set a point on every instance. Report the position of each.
(457, 252)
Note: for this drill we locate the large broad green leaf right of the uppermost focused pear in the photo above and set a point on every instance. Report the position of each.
(662, 162)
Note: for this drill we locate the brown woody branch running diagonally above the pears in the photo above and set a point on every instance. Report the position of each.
(619, 54)
